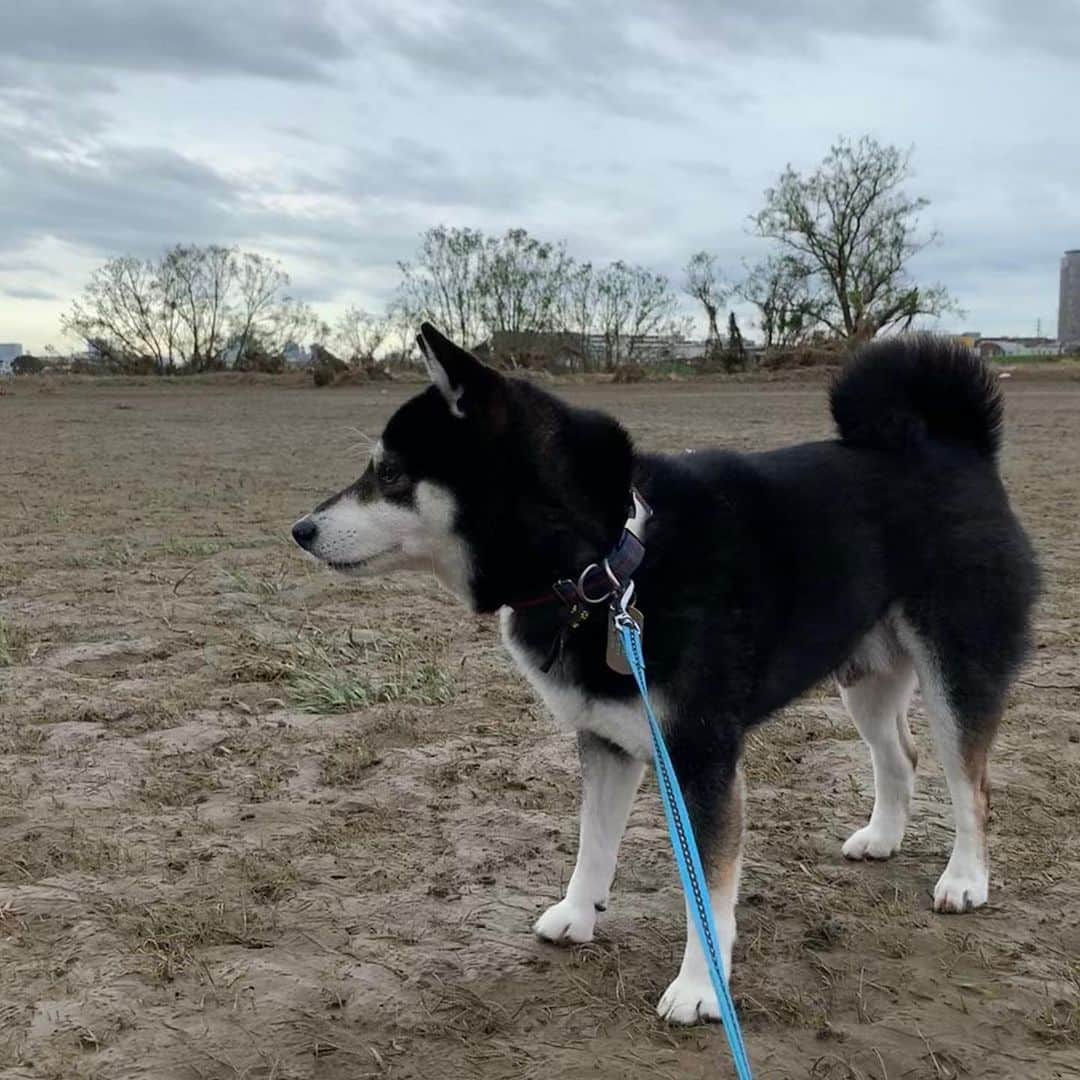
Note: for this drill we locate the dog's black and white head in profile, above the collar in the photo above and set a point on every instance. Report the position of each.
(497, 487)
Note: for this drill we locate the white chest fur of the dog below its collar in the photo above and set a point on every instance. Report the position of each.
(620, 723)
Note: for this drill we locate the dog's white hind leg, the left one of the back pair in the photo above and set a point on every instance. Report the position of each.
(877, 703)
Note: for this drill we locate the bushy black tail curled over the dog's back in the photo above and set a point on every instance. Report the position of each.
(898, 394)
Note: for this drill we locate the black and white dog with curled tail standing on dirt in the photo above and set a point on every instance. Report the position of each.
(889, 558)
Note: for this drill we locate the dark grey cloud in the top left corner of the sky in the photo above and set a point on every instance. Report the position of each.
(274, 39)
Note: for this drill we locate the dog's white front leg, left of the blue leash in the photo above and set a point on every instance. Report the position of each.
(610, 780)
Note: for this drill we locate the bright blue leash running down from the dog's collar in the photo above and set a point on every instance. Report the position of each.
(685, 847)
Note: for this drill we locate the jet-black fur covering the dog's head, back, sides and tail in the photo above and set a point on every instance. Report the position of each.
(764, 573)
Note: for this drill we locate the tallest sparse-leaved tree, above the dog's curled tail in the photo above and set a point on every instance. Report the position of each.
(853, 225)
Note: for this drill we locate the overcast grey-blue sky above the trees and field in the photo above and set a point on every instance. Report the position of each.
(331, 136)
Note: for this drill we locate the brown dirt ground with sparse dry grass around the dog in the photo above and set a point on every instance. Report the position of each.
(260, 822)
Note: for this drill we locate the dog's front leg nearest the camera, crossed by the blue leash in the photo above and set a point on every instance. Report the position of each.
(714, 796)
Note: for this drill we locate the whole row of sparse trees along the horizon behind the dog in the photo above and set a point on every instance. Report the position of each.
(843, 237)
